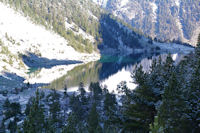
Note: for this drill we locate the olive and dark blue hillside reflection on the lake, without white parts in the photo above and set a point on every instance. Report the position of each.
(101, 70)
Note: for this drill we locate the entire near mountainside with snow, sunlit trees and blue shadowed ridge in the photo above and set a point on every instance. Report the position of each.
(36, 36)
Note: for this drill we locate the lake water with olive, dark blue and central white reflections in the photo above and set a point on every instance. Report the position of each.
(109, 71)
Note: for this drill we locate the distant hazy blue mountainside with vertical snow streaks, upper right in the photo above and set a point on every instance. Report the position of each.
(165, 20)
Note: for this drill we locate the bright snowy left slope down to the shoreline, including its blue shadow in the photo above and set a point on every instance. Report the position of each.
(20, 37)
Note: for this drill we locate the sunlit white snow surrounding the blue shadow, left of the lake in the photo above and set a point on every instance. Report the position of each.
(20, 35)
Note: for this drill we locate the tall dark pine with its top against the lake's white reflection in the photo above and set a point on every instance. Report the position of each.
(139, 110)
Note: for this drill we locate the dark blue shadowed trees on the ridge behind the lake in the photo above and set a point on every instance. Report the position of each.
(110, 27)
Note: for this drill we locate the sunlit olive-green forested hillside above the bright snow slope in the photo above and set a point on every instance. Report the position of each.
(56, 15)
